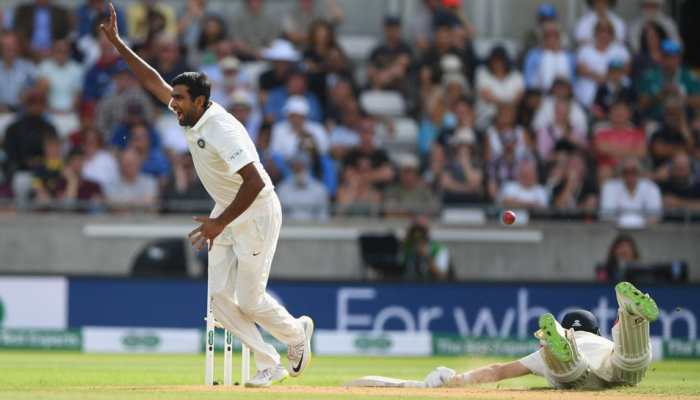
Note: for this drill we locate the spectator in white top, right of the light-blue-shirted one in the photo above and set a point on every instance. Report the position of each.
(594, 58)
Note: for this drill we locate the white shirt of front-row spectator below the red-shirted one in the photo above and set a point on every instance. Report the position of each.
(615, 199)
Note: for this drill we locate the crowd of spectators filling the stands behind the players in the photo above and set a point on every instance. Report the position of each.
(601, 118)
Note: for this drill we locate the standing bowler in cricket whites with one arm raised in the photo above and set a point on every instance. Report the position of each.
(242, 230)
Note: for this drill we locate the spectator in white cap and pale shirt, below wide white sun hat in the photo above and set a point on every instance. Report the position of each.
(290, 134)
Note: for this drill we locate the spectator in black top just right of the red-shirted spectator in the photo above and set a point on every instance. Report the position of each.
(671, 137)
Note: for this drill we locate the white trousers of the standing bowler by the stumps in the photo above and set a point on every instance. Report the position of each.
(239, 268)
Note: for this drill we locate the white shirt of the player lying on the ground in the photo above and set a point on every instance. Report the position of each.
(594, 349)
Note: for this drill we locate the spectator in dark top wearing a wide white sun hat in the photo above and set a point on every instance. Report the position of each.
(283, 58)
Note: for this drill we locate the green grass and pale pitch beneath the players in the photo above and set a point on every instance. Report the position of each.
(62, 375)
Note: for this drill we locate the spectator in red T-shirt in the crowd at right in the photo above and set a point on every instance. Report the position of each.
(616, 139)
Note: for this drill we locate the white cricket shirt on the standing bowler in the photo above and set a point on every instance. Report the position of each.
(220, 147)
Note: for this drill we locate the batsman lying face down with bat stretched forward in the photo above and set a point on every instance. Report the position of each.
(573, 354)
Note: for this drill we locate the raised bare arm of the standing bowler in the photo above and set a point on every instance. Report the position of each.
(148, 76)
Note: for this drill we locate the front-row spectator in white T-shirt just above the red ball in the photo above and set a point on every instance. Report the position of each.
(526, 192)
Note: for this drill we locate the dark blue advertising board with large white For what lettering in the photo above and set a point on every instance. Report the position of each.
(468, 309)
